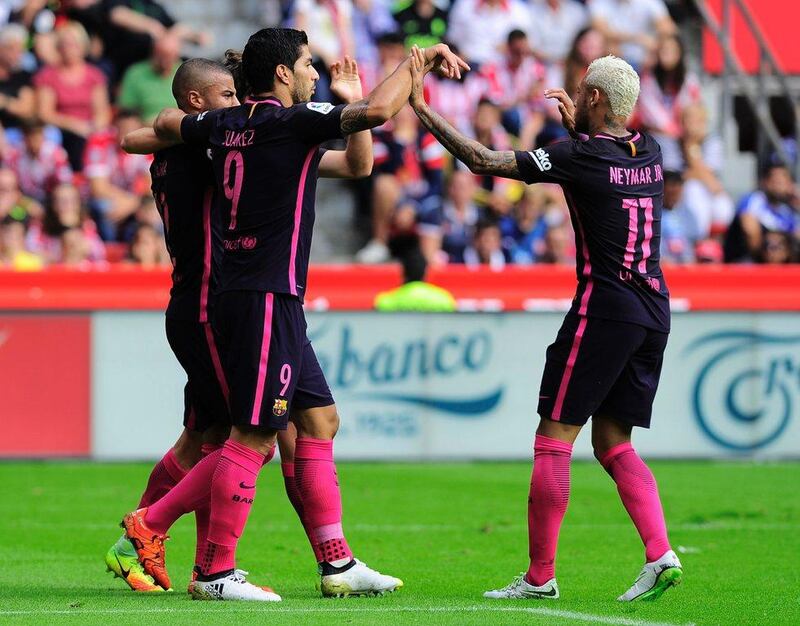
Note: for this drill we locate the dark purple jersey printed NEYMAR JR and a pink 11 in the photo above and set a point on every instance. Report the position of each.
(614, 189)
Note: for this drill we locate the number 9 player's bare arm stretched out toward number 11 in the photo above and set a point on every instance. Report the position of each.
(392, 94)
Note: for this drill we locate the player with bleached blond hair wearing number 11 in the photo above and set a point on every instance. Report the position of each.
(607, 356)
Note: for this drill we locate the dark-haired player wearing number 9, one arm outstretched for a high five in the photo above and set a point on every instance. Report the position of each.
(266, 159)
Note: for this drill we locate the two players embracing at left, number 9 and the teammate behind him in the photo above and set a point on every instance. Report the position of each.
(238, 228)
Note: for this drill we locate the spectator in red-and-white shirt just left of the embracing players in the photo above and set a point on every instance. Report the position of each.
(117, 180)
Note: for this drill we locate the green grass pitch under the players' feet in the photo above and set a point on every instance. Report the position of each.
(450, 531)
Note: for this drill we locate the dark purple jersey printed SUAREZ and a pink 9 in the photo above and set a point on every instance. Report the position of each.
(266, 158)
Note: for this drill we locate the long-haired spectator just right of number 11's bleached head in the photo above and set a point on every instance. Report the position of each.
(666, 91)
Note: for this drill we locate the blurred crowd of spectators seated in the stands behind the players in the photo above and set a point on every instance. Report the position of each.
(76, 75)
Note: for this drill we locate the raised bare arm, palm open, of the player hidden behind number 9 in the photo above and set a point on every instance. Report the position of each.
(356, 160)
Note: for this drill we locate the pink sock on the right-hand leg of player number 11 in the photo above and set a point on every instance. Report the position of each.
(639, 494)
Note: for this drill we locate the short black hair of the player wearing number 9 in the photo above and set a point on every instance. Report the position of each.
(266, 50)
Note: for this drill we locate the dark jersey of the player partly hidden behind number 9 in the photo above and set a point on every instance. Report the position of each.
(183, 187)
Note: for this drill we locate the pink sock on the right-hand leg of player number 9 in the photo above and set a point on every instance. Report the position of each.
(316, 482)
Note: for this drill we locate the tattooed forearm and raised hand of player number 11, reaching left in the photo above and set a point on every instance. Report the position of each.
(476, 156)
